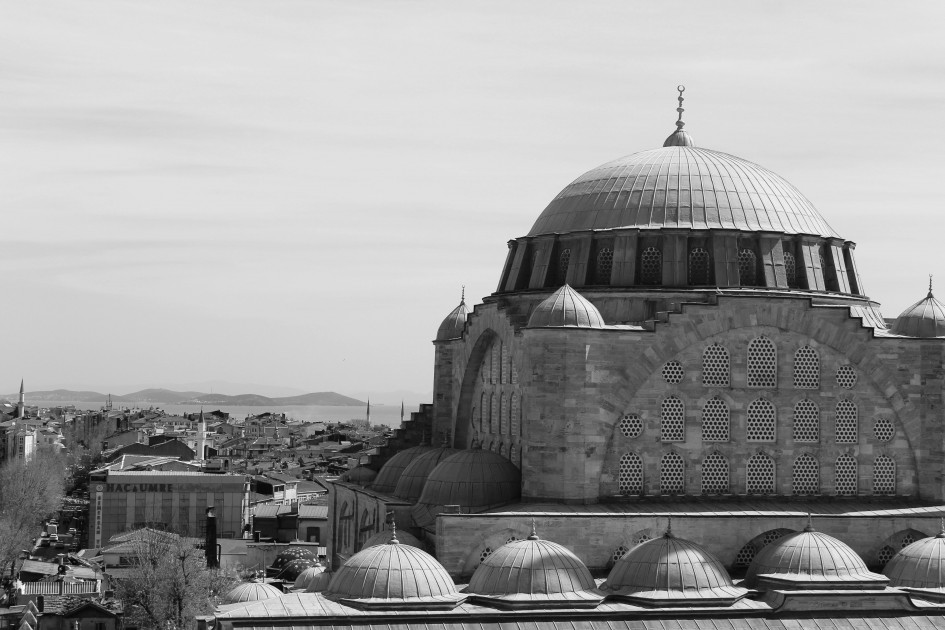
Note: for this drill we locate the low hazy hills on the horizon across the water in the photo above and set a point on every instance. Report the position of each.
(170, 397)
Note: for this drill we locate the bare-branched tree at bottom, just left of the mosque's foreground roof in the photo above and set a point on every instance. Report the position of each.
(168, 583)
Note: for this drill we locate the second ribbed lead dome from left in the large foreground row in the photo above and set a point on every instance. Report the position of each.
(534, 573)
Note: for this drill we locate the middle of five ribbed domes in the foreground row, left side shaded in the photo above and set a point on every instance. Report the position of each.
(670, 571)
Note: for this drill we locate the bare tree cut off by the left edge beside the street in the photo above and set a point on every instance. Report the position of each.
(29, 492)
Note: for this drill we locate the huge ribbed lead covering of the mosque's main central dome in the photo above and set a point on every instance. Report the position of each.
(681, 187)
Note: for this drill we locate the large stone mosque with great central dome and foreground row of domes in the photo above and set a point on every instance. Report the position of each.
(679, 404)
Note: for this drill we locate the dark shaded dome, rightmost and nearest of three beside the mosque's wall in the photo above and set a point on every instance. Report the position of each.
(475, 480)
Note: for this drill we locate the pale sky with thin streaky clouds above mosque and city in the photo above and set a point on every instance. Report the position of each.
(290, 194)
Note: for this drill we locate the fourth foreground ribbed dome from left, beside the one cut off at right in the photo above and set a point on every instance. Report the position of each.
(810, 559)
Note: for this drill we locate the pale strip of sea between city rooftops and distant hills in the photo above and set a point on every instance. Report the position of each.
(380, 414)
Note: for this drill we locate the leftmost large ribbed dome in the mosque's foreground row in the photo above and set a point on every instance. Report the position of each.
(393, 576)
